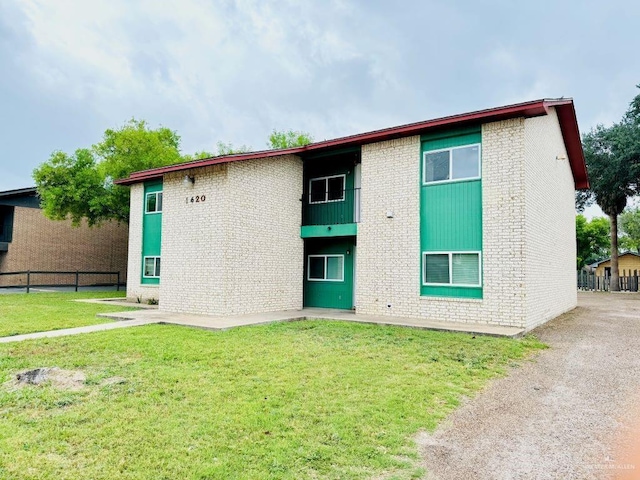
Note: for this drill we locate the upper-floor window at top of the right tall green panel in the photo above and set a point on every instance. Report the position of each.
(451, 164)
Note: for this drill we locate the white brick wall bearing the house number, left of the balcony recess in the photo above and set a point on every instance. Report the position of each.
(240, 250)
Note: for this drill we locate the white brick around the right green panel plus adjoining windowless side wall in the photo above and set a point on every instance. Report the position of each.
(523, 212)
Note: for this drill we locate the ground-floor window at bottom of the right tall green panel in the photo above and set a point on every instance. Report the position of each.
(451, 268)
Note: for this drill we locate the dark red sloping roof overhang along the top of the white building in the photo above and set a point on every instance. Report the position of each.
(564, 107)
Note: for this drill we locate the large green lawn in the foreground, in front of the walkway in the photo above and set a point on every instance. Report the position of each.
(302, 400)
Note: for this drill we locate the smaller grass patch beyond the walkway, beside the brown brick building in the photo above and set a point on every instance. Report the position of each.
(36, 312)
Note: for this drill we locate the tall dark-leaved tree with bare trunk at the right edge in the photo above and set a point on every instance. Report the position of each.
(612, 156)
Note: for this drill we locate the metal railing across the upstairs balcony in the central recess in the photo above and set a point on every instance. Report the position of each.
(332, 212)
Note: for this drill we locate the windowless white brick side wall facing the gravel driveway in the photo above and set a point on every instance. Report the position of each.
(550, 222)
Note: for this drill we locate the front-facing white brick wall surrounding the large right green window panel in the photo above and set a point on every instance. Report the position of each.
(388, 254)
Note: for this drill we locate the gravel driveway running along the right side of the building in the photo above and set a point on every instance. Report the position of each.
(568, 414)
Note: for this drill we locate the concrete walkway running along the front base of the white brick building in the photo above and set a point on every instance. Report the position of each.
(150, 315)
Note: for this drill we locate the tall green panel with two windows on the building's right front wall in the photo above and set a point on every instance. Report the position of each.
(451, 213)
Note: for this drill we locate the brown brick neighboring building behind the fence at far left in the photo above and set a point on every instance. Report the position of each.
(30, 241)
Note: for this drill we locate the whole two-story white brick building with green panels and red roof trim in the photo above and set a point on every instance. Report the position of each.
(458, 219)
